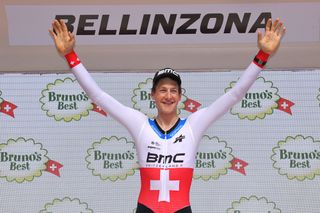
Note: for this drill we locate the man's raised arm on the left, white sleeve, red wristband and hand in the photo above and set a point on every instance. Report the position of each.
(65, 43)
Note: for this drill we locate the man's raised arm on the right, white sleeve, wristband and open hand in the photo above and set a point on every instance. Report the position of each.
(268, 45)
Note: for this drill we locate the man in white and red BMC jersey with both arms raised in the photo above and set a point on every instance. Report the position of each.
(166, 163)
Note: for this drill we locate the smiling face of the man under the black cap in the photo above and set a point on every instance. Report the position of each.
(166, 96)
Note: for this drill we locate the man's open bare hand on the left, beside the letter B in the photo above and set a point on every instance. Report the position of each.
(63, 39)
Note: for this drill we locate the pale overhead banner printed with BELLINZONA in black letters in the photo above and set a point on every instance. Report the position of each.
(162, 24)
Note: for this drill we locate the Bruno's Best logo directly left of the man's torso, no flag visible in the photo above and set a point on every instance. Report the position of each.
(112, 158)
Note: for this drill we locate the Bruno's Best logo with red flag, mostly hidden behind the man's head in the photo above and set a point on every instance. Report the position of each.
(143, 102)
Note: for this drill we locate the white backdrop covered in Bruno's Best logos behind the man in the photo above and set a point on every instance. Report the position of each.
(60, 153)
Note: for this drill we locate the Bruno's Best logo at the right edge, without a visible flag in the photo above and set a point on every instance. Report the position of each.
(297, 157)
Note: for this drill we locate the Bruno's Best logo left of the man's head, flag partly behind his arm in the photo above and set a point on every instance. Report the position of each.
(64, 100)
